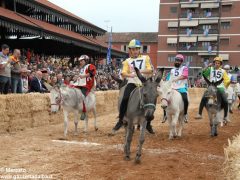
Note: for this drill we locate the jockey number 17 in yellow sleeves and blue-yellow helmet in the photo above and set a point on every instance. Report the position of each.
(143, 63)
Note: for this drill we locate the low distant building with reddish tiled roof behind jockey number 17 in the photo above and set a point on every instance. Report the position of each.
(149, 42)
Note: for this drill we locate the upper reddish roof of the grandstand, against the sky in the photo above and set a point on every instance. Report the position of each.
(50, 5)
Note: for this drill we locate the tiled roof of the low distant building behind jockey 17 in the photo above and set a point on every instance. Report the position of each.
(150, 37)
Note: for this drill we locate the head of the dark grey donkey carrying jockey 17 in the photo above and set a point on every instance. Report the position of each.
(149, 94)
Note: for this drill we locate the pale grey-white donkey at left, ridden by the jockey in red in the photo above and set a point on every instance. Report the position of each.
(71, 99)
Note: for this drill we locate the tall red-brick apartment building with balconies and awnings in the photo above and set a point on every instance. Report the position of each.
(200, 30)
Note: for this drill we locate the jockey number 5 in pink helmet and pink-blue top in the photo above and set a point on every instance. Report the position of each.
(179, 77)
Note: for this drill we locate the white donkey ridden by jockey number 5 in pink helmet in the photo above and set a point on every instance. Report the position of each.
(172, 102)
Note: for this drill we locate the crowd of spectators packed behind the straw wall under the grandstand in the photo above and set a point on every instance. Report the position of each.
(23, 71)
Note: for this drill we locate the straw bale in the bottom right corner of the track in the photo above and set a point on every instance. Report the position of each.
(232, 159)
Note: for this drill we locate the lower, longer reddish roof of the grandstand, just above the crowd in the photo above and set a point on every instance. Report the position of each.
(37, 24)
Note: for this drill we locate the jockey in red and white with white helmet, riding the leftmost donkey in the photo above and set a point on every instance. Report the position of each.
(86, 80)
